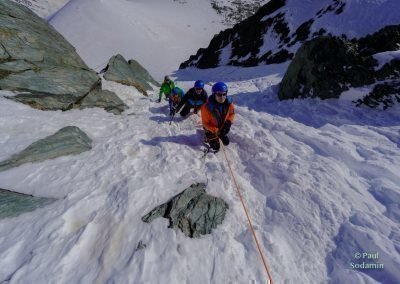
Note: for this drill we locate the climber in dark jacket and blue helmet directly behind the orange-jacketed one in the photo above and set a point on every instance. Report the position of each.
(194, 98)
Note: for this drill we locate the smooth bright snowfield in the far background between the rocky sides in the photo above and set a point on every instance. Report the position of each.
(160, 34)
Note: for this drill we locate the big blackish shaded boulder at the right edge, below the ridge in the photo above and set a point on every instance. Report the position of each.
(326, 66)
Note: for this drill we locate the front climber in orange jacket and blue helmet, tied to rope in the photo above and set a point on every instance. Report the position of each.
(217, 115)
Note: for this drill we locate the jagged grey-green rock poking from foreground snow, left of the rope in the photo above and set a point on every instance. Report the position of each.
(193, 211)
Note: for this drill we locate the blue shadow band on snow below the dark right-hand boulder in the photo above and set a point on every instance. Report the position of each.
(316, 112)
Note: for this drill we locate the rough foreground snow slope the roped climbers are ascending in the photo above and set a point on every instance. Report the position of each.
(320, 179)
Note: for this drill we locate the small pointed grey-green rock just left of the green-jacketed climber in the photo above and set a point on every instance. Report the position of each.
(129, 73)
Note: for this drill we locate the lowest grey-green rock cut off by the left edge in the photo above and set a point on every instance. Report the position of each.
(13, 204)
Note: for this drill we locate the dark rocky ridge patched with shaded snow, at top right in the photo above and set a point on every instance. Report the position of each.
(277, 30)
